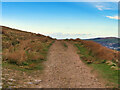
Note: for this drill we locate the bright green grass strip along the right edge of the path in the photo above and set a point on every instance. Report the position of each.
(102, 68)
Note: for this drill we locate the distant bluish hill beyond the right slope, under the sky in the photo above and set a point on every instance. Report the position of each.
(110, 42)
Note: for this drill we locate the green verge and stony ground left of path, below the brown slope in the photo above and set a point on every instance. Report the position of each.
(14, 74)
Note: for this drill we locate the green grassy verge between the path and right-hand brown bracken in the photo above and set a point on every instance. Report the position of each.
(99, 66)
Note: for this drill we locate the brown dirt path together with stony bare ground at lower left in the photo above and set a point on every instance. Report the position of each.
(63, 69)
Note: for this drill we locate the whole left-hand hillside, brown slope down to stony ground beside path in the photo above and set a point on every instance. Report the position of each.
(23, 54)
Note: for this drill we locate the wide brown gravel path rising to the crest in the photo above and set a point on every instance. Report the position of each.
(64, 69)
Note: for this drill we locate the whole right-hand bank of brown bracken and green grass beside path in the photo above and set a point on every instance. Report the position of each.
(103, 60)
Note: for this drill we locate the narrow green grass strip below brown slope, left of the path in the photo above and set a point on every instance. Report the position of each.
(28, 65)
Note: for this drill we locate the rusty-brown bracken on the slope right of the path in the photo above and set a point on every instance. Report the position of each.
(98, 51)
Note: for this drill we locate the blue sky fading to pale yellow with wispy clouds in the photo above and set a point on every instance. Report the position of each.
(63, 19)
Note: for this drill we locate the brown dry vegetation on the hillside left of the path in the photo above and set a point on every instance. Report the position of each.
(20, 46)
